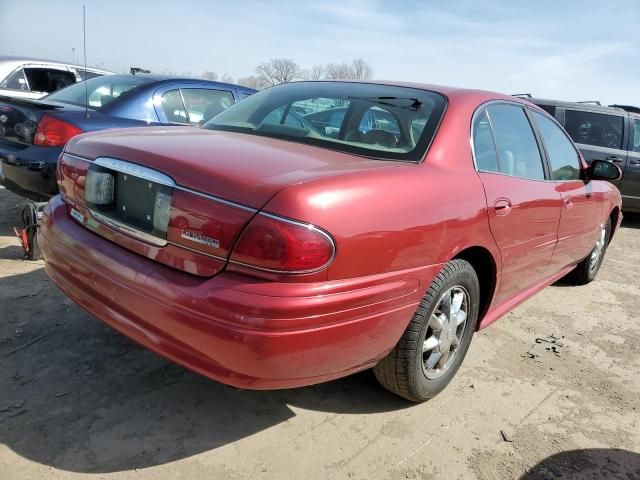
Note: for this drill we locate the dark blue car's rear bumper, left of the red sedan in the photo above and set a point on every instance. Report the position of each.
(30, 171)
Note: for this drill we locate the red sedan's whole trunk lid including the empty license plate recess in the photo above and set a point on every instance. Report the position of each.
(213, 182)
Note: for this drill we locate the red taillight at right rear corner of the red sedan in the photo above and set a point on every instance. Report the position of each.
(280, 245)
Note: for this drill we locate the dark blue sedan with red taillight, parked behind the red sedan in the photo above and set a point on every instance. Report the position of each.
(33, 132)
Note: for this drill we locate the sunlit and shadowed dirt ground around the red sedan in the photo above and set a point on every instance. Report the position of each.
(83, 401)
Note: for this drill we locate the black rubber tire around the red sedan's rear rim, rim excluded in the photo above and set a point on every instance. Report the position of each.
(402, 371)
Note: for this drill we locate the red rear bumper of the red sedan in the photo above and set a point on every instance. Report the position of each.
(235, 329)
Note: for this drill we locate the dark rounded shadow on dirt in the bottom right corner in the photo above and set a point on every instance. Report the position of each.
(594, 463)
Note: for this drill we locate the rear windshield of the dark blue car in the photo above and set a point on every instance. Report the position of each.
(99, 91)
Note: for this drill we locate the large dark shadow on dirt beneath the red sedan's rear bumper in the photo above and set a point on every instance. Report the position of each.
(84, 398)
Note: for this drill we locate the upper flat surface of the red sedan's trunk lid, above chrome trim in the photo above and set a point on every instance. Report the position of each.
(243, 168)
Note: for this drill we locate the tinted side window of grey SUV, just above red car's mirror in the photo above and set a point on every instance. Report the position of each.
(597, 129)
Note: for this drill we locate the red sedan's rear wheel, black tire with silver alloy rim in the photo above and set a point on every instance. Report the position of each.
(436, 340)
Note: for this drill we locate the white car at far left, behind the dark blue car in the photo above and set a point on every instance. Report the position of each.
(34, 78)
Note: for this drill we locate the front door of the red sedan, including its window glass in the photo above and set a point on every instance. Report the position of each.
(581, 203)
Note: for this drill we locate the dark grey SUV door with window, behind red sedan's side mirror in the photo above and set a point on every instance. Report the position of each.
(598, 136)
